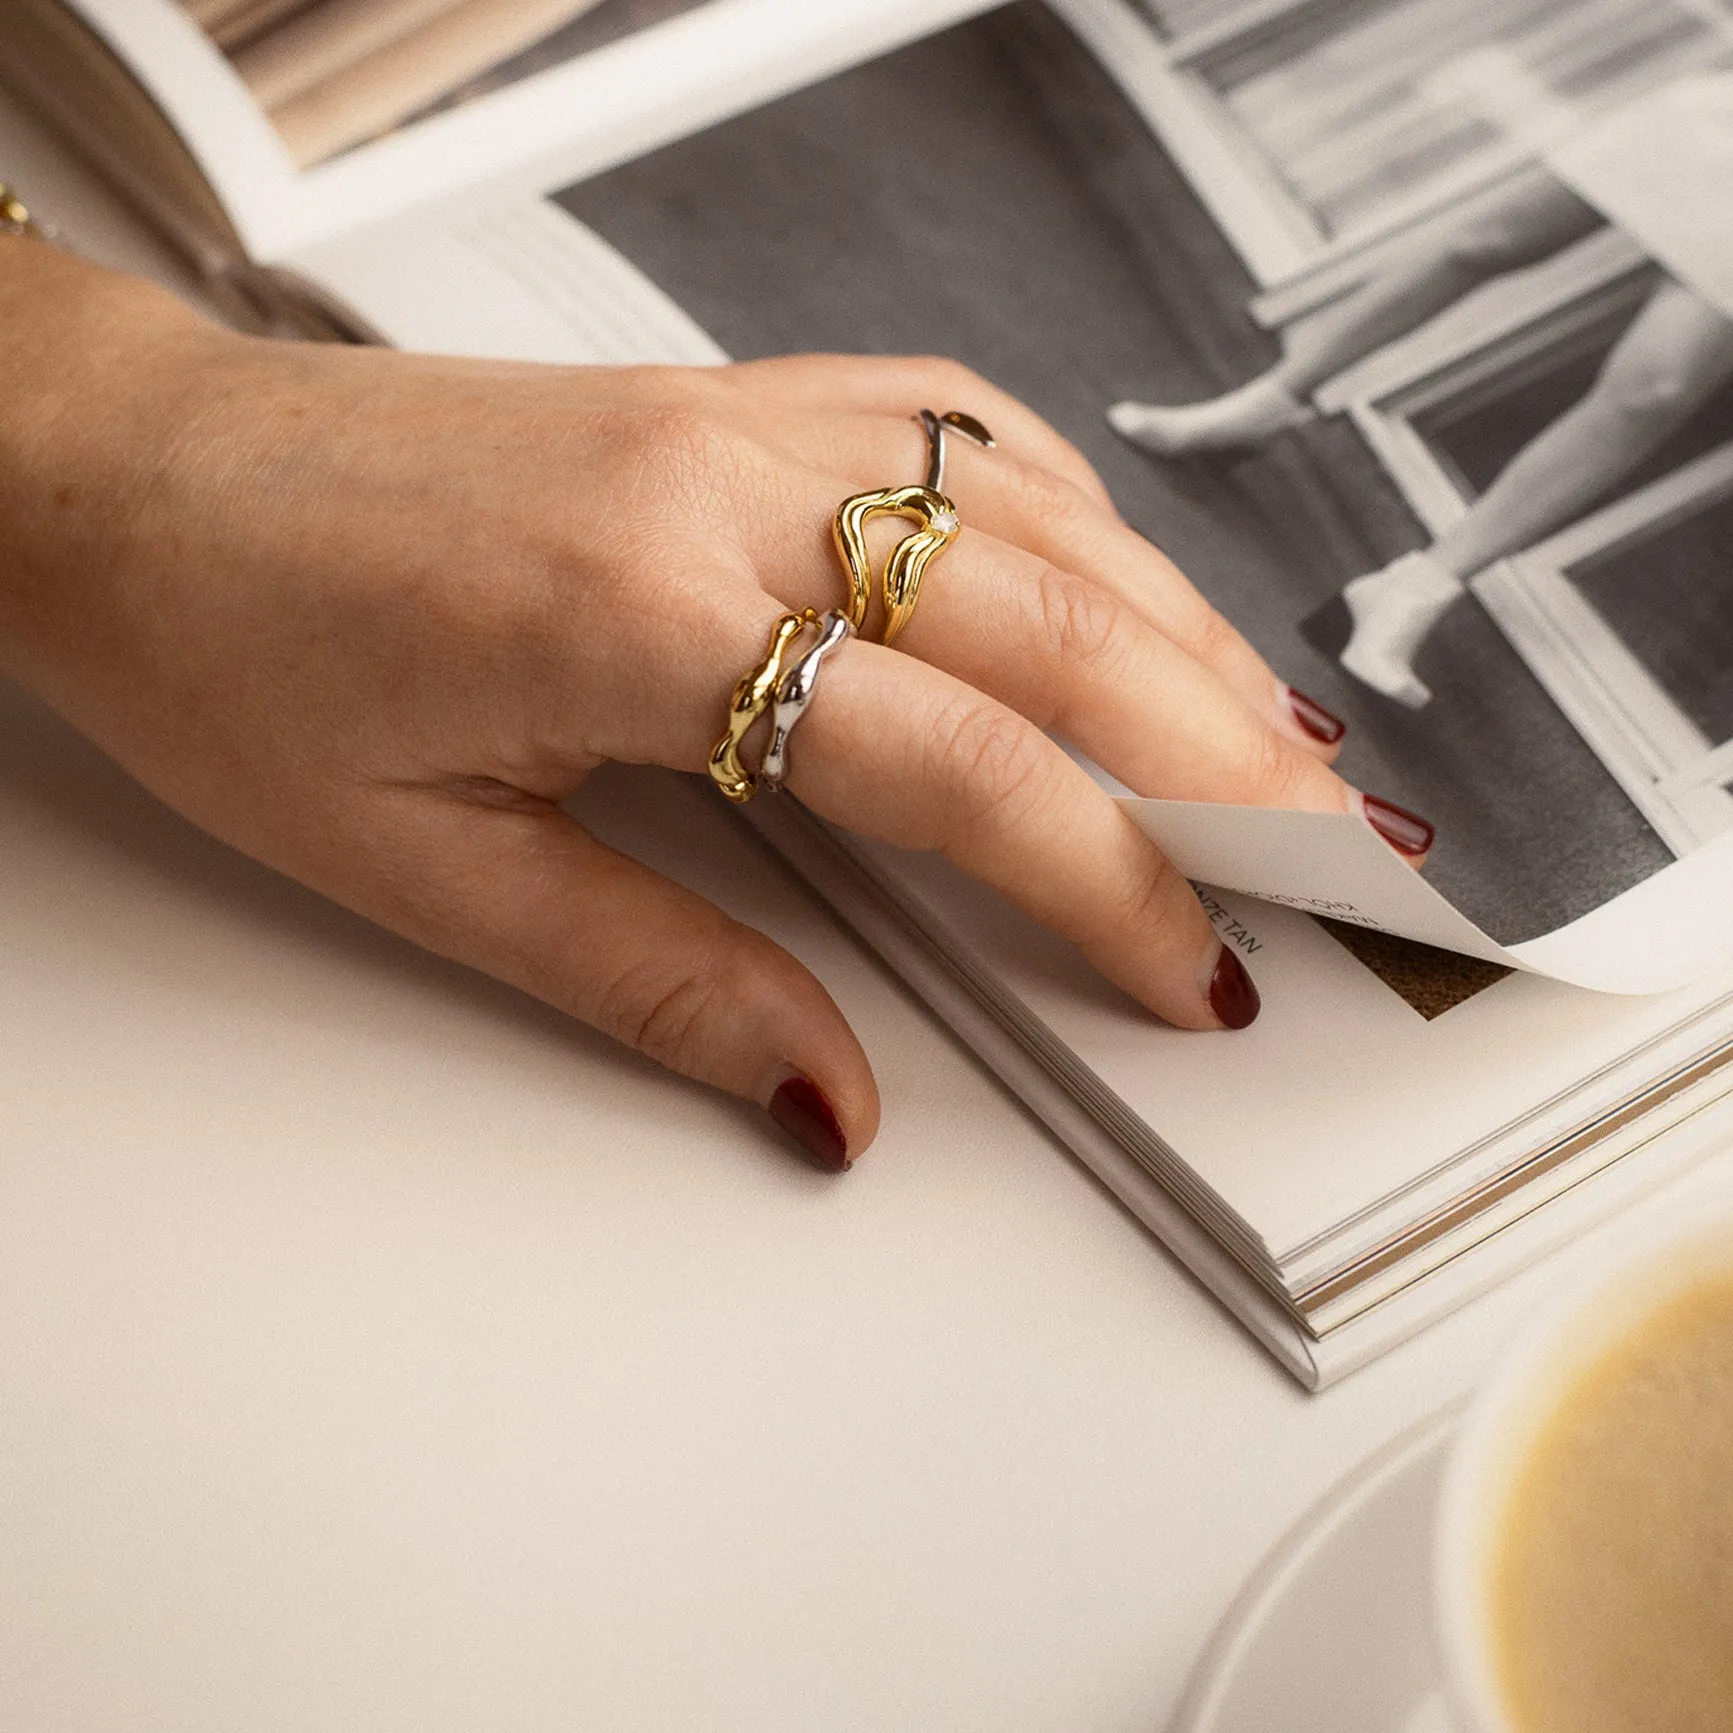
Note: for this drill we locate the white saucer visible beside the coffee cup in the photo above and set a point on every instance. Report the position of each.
(1332, 1633)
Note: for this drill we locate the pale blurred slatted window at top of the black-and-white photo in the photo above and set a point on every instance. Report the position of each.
(1323, 126)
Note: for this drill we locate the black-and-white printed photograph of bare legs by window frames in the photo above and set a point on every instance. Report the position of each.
(1406, 328)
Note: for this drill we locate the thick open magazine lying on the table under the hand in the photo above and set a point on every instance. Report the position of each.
(1514, 211)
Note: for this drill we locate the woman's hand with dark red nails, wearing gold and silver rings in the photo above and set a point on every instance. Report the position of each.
(372, 618)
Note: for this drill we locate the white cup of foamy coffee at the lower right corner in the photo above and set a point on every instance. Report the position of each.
(1585, 1545)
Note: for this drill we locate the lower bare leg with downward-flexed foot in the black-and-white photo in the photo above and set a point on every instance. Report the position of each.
(1670, 361)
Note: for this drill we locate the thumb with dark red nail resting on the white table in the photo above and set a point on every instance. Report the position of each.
(529, 897)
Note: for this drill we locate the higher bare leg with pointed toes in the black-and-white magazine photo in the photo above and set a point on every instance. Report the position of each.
(1535, 217)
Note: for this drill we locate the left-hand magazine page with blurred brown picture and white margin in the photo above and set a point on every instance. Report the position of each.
(320, 117)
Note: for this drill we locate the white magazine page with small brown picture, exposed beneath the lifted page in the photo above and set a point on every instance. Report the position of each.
(1360, 1103)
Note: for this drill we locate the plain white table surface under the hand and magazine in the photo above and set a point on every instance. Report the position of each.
(380, 1353)
